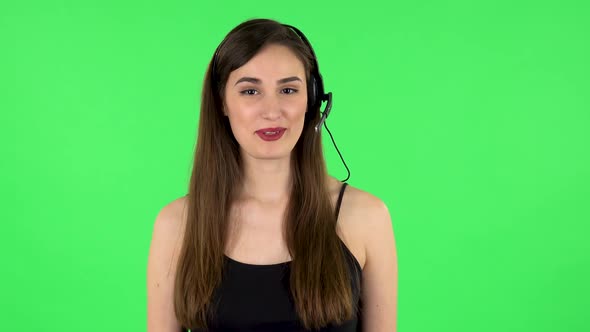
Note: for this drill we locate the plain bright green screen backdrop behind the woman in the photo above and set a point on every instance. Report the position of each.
(470, 120)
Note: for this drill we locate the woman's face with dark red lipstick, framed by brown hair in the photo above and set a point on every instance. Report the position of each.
(267, 94)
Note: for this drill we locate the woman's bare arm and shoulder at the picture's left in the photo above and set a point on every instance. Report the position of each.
(161, 269)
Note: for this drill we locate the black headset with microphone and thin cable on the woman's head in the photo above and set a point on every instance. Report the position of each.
(315, 91)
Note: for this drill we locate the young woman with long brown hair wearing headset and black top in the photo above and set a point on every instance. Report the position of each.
(265, 239)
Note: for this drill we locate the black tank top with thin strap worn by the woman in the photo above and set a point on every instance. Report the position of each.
(257, 297)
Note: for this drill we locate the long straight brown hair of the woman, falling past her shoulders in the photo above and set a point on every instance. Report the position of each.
(319, 279)
